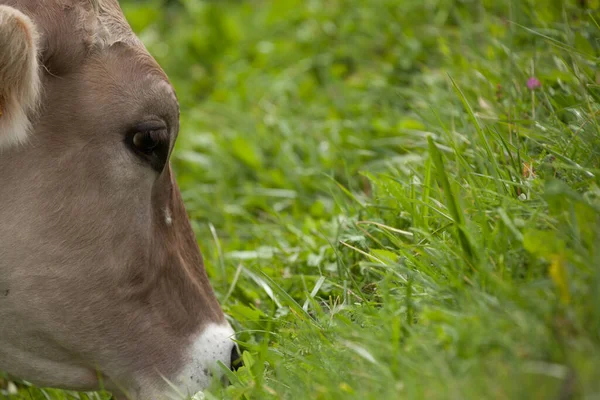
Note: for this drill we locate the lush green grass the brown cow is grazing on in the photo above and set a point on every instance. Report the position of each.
(385, 209)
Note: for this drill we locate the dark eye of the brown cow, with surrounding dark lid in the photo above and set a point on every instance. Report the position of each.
(150, 142)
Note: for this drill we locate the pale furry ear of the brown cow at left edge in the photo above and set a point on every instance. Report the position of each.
(19, 75)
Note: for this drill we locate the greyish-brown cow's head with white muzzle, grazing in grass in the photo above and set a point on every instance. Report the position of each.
(101, 279)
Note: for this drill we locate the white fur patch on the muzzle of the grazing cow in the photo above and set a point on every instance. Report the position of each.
(212, 345)
